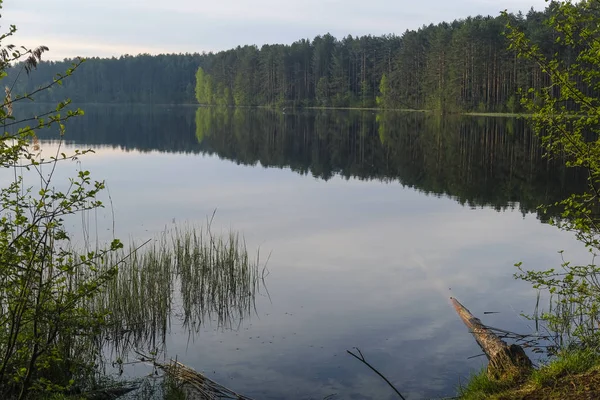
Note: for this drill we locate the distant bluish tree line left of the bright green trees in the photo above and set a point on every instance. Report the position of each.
(161, 79)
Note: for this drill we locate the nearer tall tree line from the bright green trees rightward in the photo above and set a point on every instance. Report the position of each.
(465, 65)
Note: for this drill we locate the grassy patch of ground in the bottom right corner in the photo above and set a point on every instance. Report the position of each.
(572, 375)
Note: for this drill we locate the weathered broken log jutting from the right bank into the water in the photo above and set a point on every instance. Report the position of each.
(505, 361)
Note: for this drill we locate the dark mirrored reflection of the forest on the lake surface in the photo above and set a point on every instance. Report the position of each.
(480, 161)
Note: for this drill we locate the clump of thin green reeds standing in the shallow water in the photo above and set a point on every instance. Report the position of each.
(189, 273)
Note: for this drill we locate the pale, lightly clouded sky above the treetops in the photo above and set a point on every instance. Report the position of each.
(107, 28)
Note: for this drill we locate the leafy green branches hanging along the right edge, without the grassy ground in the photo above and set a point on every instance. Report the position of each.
(565, 113)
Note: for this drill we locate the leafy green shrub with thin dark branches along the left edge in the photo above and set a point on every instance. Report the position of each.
(45, 328)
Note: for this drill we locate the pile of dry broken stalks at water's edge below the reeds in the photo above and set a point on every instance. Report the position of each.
(196, 385)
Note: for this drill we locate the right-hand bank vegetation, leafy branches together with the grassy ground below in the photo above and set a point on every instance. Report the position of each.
(566, 116)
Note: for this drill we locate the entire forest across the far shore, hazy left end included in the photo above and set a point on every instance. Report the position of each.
(453, 67)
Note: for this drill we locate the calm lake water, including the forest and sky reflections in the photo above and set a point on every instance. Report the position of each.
(370, 222)
